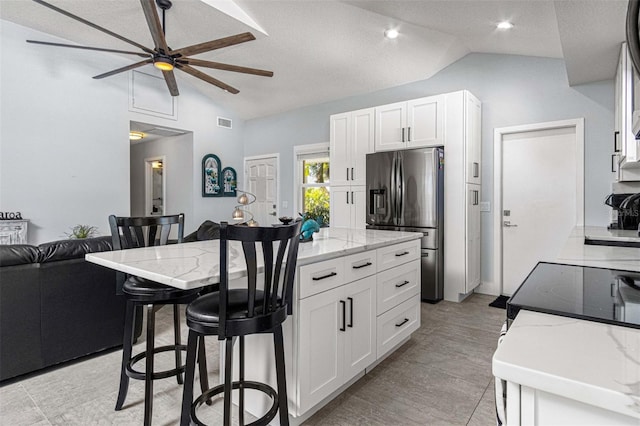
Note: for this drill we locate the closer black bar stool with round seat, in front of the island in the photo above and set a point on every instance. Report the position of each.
(235, 313)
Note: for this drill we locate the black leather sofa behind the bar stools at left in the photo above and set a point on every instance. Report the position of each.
(55, 306)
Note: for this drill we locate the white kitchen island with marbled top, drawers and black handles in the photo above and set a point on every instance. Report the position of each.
(356, 300)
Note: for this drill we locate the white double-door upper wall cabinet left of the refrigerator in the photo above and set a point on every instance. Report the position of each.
(351, 139)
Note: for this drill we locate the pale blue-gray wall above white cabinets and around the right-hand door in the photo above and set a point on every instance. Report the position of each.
(514, 90)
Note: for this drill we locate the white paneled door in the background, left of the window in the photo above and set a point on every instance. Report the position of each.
(262, 181)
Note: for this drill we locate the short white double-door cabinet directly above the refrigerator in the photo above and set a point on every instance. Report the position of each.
(412, 124)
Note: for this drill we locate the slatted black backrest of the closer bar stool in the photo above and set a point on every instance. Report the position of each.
(279, 247)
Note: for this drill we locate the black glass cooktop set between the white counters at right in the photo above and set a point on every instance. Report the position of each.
(596, 294)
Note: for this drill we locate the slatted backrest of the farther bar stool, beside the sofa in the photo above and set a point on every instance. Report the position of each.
(135, 232)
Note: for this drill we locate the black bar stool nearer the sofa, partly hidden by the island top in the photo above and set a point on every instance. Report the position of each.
(135, 232)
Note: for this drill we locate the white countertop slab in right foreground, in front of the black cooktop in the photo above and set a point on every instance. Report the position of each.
(594, 363)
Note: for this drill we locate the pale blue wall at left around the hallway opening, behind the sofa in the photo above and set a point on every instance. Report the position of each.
(64, 146)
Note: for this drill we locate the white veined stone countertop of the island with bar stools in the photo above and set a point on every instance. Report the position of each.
(193, 265)
